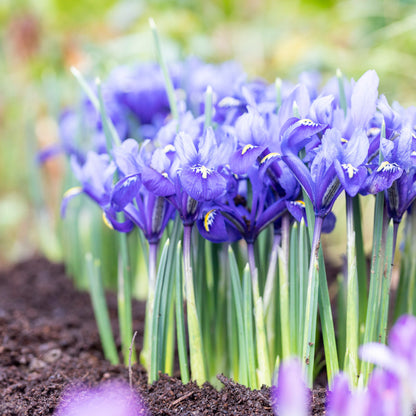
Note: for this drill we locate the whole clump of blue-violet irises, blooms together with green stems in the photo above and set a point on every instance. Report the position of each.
(230, 183)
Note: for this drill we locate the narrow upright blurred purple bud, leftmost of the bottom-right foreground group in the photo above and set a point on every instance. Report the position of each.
(291, 397)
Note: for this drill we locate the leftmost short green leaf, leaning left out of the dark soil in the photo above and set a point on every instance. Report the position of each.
(100, 309)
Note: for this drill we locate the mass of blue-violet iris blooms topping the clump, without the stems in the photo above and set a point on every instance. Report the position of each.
(242, 171)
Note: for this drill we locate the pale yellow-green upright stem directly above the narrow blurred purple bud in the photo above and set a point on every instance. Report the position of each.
(284, 287)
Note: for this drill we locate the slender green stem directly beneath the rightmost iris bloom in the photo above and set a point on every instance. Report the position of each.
(385, 294)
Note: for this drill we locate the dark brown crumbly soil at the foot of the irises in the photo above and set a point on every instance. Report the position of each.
(49, 343)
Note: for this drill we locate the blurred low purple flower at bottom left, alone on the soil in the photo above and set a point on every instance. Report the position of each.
(108, 399)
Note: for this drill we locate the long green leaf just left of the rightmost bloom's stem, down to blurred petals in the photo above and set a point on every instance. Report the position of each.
(376, 278)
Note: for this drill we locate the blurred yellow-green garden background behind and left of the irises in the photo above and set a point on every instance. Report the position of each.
(41, 39)
